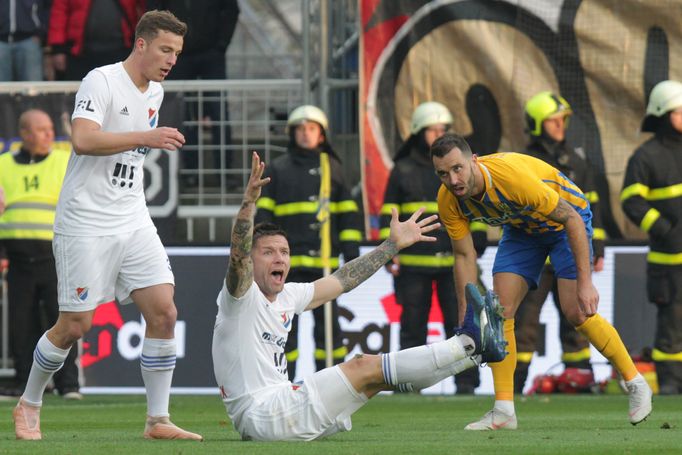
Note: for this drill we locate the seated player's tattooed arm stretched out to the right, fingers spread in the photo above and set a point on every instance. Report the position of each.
(358, 270)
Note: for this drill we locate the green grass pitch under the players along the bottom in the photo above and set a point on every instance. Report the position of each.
(387, 425)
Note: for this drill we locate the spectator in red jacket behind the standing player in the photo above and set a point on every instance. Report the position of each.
(85, 34)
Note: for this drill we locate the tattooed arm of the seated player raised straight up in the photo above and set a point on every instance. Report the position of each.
(240, 269)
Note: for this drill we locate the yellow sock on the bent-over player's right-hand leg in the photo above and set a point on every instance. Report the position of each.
(605, 338)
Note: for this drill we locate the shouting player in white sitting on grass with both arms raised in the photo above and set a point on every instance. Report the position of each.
(255, 308)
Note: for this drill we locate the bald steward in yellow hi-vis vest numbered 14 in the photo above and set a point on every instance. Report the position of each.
(31, 180)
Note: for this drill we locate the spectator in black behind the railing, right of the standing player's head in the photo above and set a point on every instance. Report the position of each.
(211, 25)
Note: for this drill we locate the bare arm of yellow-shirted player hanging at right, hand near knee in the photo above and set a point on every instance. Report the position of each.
(588, 298)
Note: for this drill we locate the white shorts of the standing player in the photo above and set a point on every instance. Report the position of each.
(94, 270)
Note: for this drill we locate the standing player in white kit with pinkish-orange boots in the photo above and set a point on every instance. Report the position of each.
(105, 243)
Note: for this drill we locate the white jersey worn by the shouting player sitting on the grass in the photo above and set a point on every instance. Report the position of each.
(248, 341)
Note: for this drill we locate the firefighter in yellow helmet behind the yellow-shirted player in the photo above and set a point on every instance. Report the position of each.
(547, 116)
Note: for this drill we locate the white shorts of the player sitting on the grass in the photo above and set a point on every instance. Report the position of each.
(320, 407)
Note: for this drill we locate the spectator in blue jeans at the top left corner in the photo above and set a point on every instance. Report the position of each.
(23, 25)
